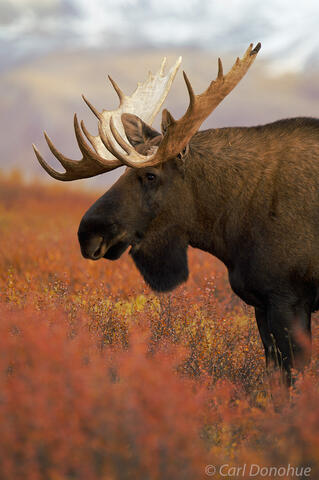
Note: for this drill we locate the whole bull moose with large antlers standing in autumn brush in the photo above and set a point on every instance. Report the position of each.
(248, 195)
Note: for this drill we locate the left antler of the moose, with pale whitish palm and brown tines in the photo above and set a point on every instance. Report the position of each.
(145, 102)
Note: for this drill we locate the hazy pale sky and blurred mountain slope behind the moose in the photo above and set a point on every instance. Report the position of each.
(51, 51)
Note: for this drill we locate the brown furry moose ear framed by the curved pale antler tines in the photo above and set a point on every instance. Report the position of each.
(138, 132)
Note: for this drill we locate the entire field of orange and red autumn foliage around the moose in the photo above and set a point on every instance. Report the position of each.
(102, 379)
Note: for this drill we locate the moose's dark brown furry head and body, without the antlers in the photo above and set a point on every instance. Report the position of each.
(249, 196)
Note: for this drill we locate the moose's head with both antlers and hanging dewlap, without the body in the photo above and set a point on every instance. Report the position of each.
(157, 207)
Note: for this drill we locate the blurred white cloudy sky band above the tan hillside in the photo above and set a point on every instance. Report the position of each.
(288, 29)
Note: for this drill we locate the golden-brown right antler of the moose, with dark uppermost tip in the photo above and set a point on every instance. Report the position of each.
(180, 132)
